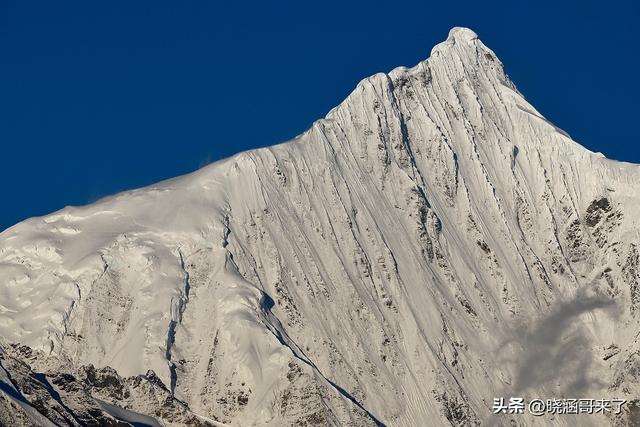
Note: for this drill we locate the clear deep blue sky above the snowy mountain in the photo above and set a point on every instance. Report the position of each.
(99, 97)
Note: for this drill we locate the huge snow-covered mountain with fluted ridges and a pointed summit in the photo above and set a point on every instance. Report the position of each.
(432, 244)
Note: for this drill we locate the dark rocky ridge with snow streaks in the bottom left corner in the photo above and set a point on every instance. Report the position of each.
(83, 396)
